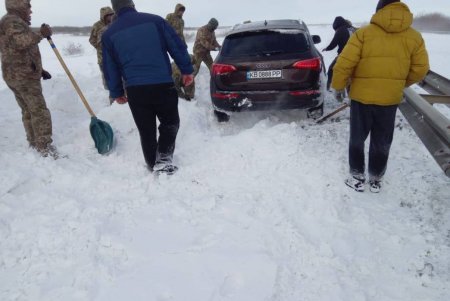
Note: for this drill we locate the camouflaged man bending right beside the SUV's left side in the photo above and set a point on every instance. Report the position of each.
(205, 41)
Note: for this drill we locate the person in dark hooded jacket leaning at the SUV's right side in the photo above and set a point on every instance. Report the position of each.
(343, 30)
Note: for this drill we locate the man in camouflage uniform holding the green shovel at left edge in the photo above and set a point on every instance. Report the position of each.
(22, 72)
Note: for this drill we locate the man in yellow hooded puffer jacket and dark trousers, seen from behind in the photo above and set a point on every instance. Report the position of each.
(379, 61)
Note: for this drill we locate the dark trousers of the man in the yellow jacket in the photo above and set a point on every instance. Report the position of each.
(379, 122)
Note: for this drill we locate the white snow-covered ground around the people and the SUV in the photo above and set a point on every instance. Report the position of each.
(258, 210)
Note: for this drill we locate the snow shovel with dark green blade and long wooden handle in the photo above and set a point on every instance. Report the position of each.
(101, 131)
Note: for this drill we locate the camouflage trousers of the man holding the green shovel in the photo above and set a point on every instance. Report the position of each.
(35, 114)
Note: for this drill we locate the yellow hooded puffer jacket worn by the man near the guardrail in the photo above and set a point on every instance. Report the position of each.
(383, 58)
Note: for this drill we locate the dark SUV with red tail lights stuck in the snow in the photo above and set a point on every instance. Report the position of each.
(268, 65)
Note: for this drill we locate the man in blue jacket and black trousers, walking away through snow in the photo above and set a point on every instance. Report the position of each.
(135, 54)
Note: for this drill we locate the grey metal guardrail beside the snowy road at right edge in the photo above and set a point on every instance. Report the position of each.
(431, 126)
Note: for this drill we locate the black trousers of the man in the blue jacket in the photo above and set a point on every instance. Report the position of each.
(147, 103)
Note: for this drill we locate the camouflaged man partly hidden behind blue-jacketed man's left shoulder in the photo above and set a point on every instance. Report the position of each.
(106, 15)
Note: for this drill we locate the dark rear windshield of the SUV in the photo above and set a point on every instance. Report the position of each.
(265, 43)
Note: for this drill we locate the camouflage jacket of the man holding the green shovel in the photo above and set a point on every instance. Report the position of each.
(21, 59)
